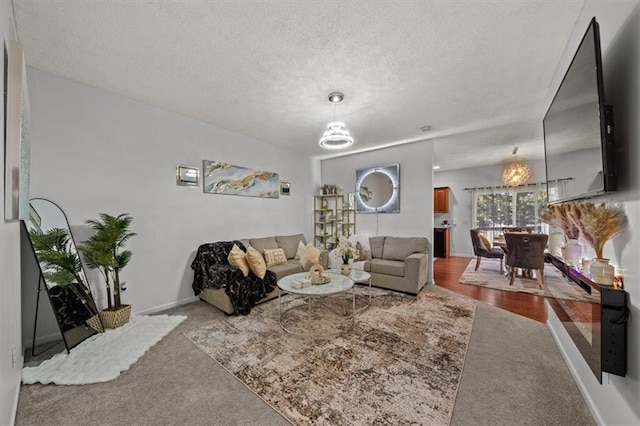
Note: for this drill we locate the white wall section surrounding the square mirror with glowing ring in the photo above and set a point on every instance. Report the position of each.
(416, 189)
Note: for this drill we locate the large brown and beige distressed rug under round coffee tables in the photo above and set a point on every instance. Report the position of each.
(400, 364)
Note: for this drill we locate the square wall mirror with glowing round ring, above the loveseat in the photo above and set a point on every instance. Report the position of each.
(378, 189)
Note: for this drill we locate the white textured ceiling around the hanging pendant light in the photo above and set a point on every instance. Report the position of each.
(477, 72)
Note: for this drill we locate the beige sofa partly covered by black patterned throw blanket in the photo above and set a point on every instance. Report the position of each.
(289, 243)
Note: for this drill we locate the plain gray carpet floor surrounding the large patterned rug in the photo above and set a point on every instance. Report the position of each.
(513, 375)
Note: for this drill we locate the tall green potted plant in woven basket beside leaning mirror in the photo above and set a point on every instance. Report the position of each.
(105, 252)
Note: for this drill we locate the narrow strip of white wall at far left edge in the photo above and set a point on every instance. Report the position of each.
(10, 333)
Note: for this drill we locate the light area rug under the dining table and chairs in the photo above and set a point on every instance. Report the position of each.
(555, 285)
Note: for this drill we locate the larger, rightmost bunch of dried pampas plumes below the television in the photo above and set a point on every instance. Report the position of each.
(598, 223)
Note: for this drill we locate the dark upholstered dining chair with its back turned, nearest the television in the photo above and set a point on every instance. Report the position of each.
(525, 251)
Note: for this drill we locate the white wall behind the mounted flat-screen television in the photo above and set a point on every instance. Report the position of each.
(615, 402)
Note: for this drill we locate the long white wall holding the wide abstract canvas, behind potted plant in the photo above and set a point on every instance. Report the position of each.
(95, 152)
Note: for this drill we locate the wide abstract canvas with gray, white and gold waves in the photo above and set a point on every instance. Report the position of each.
(224, 178)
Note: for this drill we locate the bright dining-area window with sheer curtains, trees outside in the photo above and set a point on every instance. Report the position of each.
(494, 208)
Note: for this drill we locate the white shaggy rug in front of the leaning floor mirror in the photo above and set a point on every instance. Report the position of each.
(103, 357)
